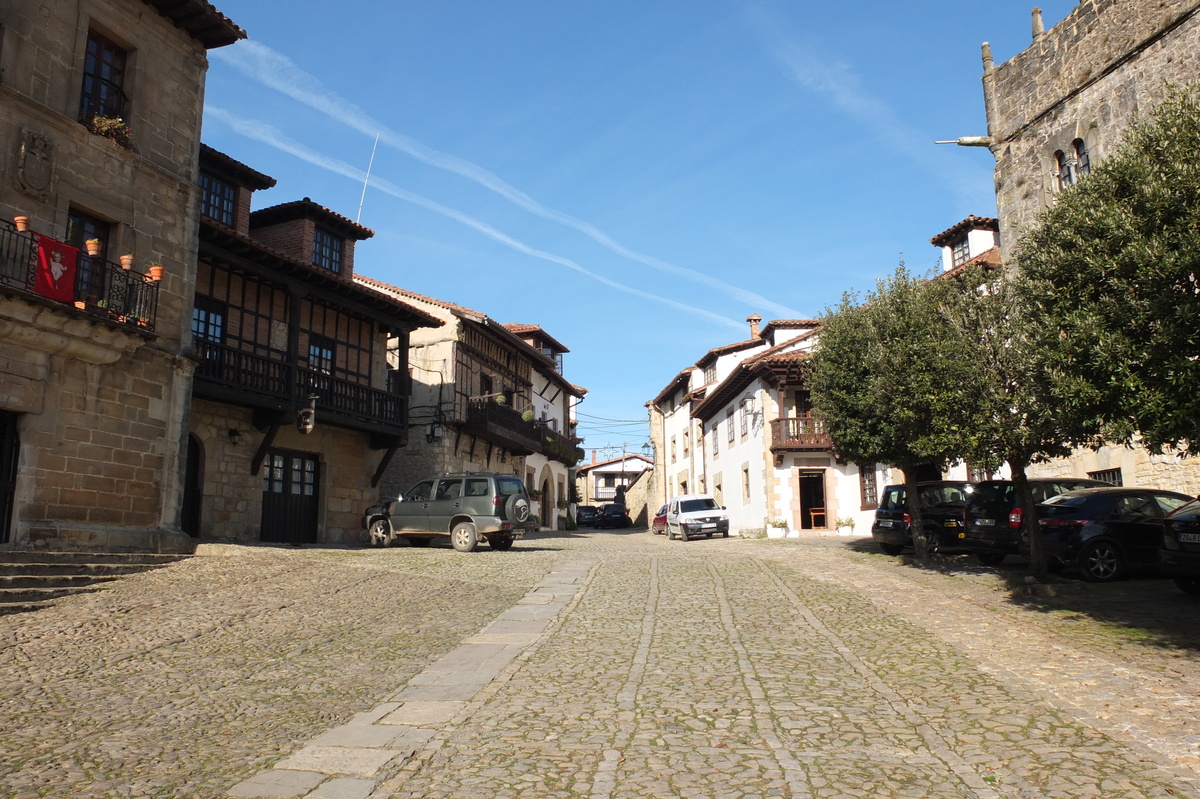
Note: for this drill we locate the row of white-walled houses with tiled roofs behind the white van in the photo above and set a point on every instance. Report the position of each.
(740, 426)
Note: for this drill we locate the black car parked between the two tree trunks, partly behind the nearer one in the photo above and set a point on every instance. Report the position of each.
(993, 516)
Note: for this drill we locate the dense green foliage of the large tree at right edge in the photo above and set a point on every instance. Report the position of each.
(1113, 278)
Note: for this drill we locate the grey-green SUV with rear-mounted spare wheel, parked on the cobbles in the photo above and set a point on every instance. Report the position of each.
(464, 508)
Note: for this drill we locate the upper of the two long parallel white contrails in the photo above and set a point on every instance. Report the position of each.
(279, 73)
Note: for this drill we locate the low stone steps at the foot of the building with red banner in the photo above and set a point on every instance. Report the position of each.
(29, 581)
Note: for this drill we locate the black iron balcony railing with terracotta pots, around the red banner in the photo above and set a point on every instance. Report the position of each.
(101, 289)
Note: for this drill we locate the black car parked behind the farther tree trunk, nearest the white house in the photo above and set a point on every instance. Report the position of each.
(941, 509)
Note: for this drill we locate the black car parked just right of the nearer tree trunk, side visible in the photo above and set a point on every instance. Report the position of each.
(1105, 532)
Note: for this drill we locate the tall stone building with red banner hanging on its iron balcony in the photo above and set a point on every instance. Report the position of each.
(101, 123)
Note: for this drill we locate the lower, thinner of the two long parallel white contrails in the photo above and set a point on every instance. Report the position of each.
(274, 137)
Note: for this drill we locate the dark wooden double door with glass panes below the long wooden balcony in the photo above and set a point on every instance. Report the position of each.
(291, 498)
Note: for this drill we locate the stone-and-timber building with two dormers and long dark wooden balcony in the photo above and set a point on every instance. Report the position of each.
(297, 411)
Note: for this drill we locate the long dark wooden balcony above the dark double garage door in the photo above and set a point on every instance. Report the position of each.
(229, 375)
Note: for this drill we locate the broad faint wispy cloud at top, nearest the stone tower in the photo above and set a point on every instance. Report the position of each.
(805, 61)
